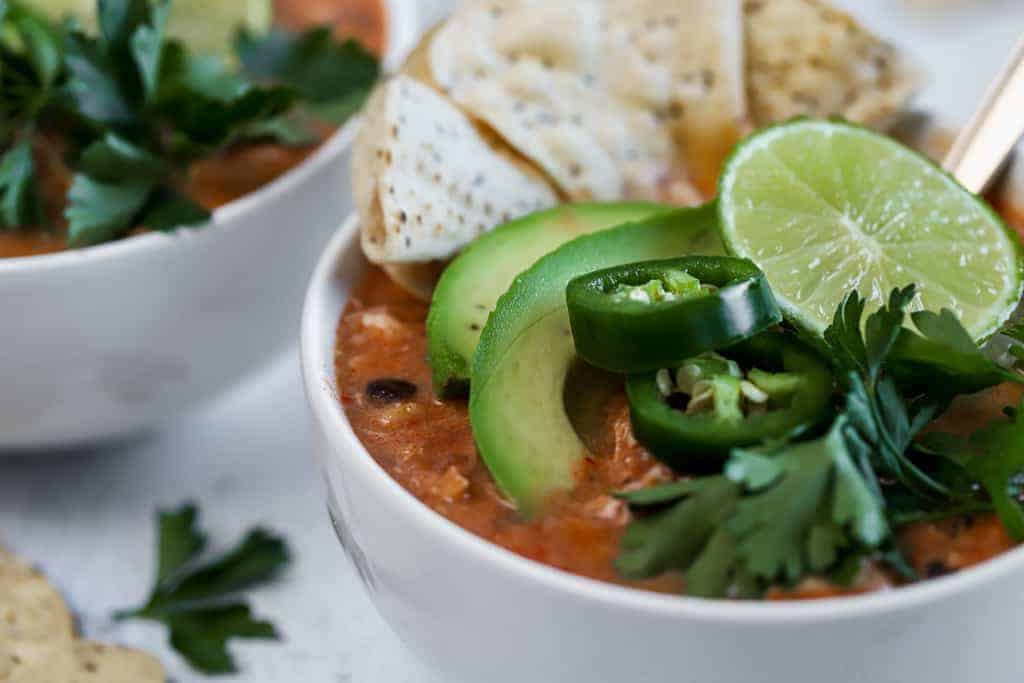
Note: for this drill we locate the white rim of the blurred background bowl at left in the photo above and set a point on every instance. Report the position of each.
(403, 29)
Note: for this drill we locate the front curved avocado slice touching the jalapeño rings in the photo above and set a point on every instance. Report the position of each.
(526, 353)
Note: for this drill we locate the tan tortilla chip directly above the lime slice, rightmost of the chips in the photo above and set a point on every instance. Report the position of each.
(807, 59)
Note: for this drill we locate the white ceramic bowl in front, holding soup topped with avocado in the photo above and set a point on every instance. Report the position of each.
(478, 614)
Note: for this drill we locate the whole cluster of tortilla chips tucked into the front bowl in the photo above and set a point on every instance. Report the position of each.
(514, 106)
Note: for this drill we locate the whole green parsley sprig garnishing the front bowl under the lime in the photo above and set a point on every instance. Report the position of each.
(786, 511)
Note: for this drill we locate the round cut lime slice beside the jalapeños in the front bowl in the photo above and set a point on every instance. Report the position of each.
(825, 208)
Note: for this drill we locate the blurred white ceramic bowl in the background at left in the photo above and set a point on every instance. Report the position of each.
(105, 341)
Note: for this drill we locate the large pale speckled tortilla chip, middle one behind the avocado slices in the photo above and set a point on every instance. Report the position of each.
(610, 108)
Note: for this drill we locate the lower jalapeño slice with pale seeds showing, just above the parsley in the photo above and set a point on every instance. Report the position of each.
(767, 388)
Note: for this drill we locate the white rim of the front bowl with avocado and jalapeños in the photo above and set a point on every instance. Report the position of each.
(317, 352)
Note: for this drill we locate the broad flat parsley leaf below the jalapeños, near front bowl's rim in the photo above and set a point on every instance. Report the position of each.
(776, 517)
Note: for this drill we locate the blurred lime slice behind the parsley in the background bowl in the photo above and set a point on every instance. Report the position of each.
(206, 26)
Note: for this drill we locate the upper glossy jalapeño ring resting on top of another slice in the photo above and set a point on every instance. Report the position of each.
(644, 317)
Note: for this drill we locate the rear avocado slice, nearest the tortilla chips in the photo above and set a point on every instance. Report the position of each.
(467, 292)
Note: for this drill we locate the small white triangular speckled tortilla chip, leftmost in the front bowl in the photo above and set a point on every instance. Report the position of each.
(426, 183)
